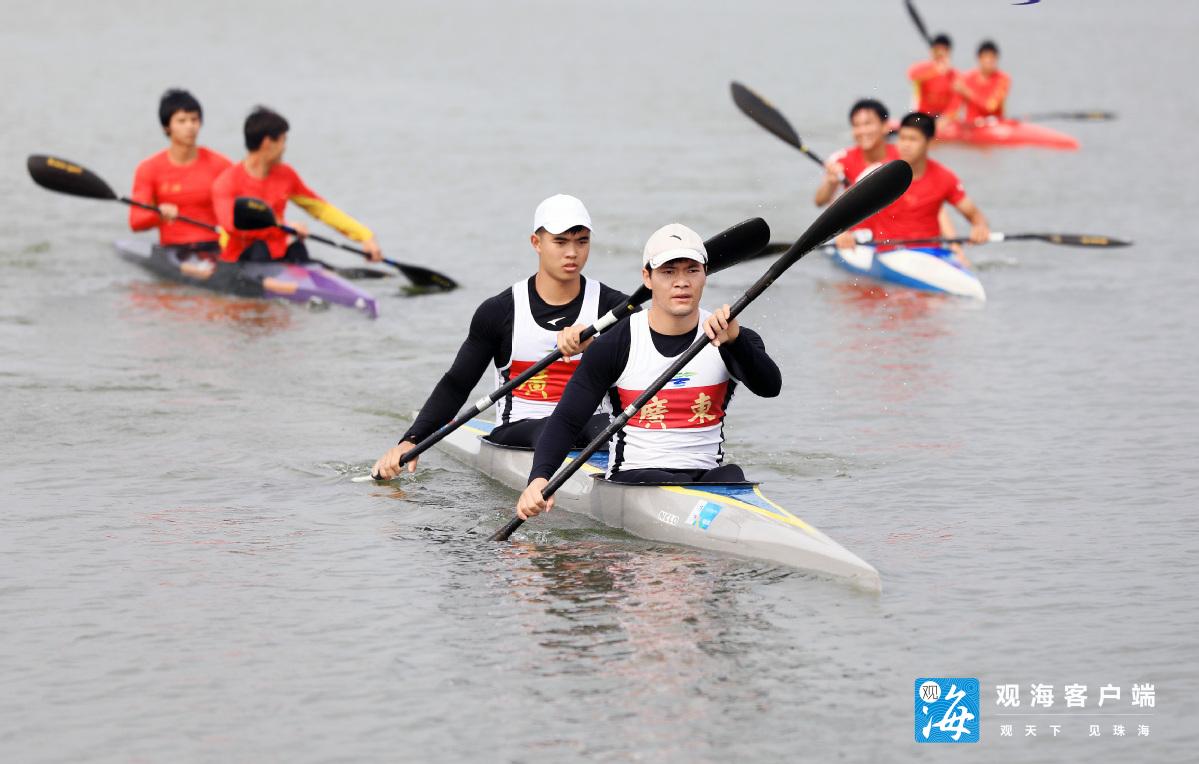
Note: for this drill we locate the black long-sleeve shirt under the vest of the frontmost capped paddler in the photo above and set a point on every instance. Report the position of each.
(604, 364)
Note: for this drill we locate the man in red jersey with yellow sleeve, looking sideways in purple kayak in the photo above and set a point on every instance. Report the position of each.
(264, 176)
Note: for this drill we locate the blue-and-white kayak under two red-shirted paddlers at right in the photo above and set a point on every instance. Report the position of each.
(929, 270)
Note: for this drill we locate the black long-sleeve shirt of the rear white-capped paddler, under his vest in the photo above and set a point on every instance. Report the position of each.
(490, 342)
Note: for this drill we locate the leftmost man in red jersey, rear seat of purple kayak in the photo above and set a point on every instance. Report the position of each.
(179, 179)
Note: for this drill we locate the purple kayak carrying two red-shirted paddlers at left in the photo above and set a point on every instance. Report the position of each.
(308, 285)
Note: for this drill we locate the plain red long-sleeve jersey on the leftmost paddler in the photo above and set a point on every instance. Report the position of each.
(159, 181)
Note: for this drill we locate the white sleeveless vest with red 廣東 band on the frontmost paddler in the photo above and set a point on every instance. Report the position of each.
(683, 428)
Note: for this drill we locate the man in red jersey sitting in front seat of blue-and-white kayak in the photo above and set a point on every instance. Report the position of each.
(915, 214)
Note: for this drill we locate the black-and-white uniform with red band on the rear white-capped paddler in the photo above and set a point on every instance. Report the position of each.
(510, 333)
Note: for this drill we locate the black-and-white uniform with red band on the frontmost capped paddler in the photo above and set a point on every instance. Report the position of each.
(678, 436)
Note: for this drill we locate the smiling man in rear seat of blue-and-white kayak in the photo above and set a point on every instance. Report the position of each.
(869, 119)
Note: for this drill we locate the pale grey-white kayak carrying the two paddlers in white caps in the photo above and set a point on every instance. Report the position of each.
(731, 519)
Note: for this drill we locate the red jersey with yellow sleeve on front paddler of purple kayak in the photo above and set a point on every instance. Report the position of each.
(281, 185)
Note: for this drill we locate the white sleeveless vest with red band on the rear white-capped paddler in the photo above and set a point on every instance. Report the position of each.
(538, 398)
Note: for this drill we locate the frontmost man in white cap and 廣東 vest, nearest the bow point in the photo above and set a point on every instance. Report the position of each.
(679, 436)
